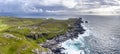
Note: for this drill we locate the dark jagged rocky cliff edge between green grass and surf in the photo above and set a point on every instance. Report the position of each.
(53, 44)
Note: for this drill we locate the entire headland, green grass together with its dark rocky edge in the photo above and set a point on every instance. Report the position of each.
(36, 36)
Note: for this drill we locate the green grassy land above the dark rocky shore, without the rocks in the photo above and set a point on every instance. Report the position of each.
(16, 33)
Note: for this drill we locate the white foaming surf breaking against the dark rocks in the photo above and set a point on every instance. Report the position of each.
(77, 45)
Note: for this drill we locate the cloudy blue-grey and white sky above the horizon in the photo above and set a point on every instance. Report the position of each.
(59, 7)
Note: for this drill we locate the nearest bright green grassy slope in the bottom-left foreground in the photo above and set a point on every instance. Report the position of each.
(13, 46)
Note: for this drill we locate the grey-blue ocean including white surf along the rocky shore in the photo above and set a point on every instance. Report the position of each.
(102, 36)
